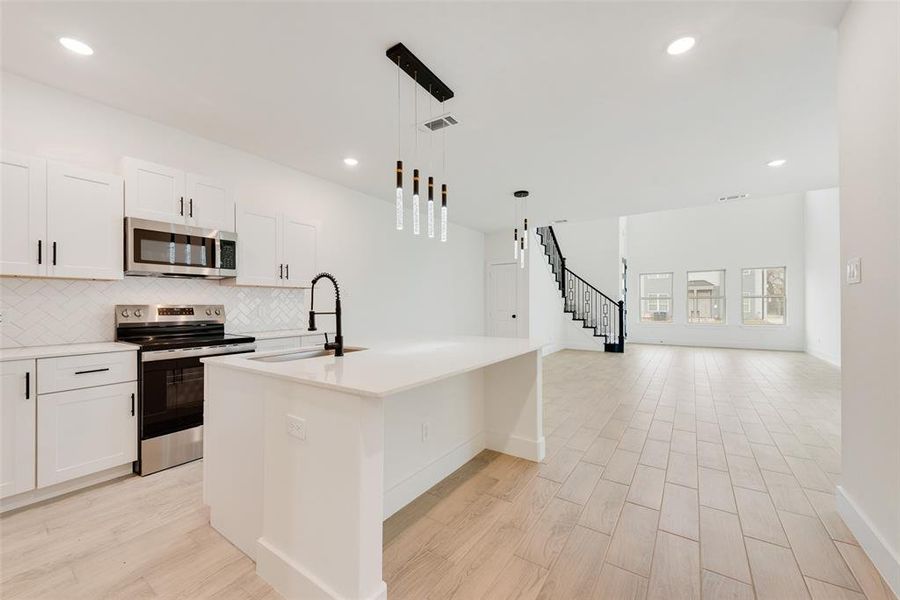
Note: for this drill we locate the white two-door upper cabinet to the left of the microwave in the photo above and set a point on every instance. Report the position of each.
(59, 220)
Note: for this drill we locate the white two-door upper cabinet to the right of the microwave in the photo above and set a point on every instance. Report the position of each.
(274, 249)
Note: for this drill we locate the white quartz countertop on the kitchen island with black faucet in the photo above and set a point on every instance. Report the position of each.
(389, 367)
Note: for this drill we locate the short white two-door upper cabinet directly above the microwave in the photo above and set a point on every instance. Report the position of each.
(162, 193)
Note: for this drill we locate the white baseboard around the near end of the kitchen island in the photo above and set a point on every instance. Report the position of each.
(291, 580)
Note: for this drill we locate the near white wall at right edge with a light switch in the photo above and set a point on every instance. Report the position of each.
(869, 108)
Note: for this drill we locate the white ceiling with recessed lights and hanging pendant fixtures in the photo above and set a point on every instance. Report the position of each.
(578, 103)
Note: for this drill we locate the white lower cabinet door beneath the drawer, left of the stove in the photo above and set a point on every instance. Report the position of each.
(85, 431)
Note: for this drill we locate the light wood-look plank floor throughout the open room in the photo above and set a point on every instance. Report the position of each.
(670, 473)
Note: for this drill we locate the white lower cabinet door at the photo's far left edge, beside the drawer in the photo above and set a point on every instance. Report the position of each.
(17, 414)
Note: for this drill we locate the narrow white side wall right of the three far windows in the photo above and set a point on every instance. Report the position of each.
(823, 274)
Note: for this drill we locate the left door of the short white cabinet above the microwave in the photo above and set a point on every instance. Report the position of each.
(153, 191)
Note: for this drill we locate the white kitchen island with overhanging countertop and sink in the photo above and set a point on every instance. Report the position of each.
(305, 455)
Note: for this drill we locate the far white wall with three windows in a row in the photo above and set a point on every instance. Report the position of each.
(758, 232)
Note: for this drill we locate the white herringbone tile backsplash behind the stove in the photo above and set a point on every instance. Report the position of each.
(62, 311)
